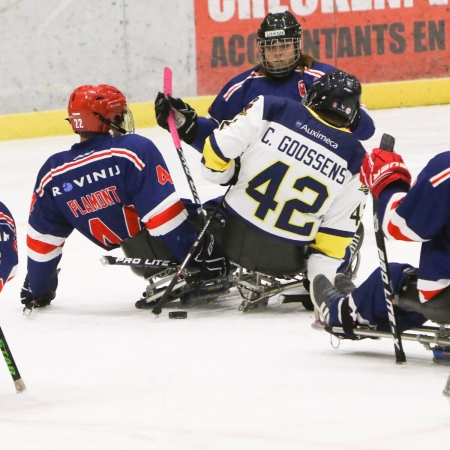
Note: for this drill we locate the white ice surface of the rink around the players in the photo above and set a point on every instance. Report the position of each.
(102, 374)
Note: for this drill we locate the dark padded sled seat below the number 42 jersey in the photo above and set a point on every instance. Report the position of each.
(256, 251)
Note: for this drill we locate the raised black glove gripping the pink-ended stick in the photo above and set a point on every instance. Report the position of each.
(185, 116)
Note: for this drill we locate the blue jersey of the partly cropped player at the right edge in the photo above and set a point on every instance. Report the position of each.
(423, 215)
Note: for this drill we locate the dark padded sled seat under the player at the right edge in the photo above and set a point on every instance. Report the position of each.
(437, 309)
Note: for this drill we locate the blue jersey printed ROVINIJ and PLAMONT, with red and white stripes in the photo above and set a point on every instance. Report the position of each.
(108, 189)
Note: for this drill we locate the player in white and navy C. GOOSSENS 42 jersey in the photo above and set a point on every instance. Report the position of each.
(295, 170)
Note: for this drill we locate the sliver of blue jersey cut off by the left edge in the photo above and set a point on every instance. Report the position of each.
(8, 246)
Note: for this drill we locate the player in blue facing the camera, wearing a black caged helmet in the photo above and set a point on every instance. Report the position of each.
(284, 71)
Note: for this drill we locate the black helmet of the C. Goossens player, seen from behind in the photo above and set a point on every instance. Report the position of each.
(338, 94)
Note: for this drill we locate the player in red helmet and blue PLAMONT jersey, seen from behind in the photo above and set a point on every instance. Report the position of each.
(109, 186)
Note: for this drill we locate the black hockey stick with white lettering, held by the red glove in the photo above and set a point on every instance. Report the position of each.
(387, 143)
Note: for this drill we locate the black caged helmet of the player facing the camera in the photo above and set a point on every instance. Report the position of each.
(280, 28)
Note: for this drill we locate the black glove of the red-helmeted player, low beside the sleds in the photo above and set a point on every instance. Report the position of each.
(208, 263)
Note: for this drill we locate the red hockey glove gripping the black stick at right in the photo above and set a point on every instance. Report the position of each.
(381, 168)
